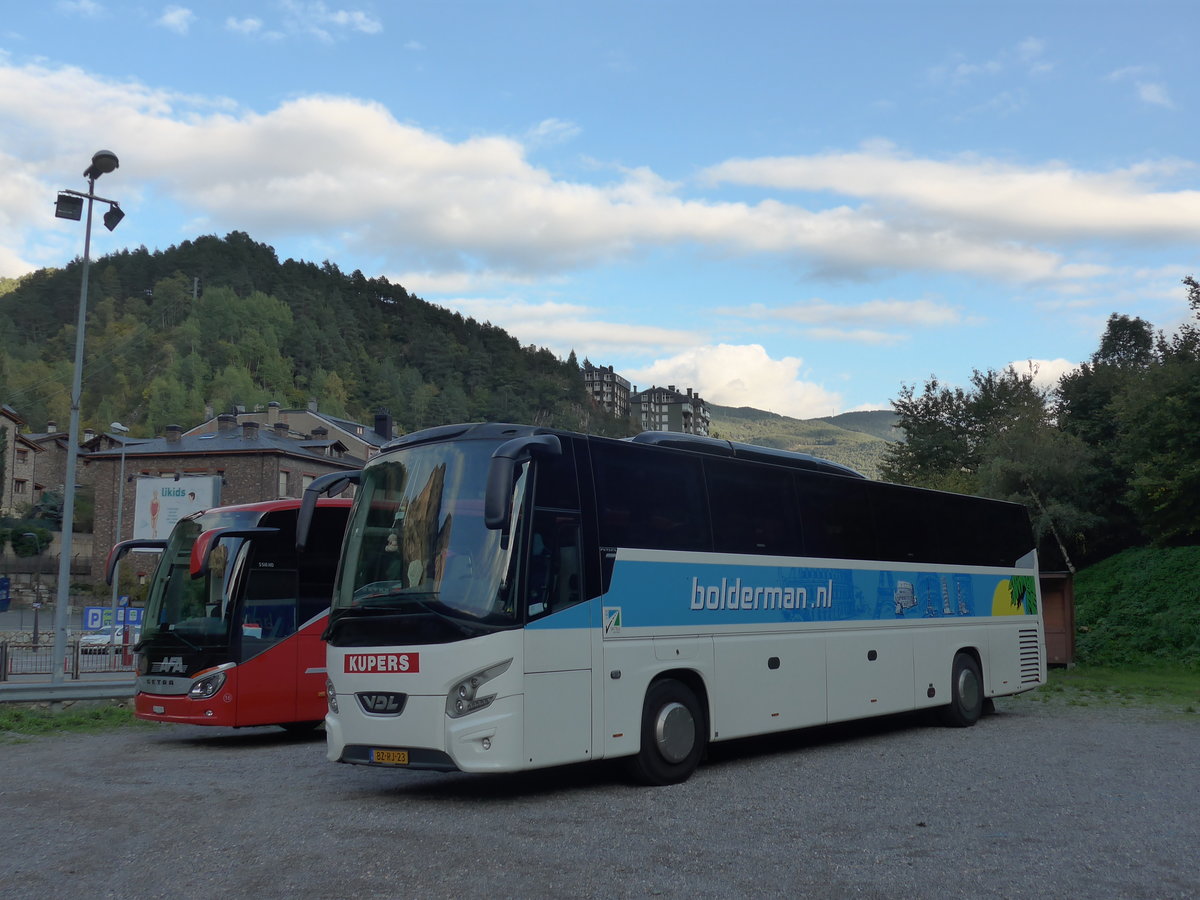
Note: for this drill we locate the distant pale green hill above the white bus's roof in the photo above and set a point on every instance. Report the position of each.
(855, 440)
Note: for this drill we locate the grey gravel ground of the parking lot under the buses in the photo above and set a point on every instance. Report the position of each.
(1041, 800)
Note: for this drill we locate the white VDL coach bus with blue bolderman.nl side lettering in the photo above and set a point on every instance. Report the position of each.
(513, 598)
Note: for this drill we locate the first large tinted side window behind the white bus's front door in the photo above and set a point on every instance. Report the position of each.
(650, 499)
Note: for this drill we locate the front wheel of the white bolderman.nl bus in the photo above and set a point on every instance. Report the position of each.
(674, 735)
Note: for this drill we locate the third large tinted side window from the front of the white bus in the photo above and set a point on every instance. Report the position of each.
(836, 517)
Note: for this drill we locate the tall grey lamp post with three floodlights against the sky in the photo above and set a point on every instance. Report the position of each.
(70, 207)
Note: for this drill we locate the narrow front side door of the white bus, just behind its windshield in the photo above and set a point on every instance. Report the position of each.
(557, 643)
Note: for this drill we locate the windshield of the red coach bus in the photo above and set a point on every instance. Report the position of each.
(199, 611)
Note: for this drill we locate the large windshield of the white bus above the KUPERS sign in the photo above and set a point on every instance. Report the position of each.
(417, 547)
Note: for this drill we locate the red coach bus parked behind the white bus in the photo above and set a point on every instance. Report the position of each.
(235, 616)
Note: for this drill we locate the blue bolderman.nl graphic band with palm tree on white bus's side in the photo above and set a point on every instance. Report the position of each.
(664, 595)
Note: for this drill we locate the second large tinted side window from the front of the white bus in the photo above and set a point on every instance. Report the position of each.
(753, 509)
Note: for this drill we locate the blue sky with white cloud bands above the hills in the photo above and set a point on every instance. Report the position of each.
(799, 207)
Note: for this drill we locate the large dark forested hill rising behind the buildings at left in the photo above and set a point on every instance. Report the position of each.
(215, 323)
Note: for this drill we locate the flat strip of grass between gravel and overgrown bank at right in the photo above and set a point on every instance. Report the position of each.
(1168, 688)
